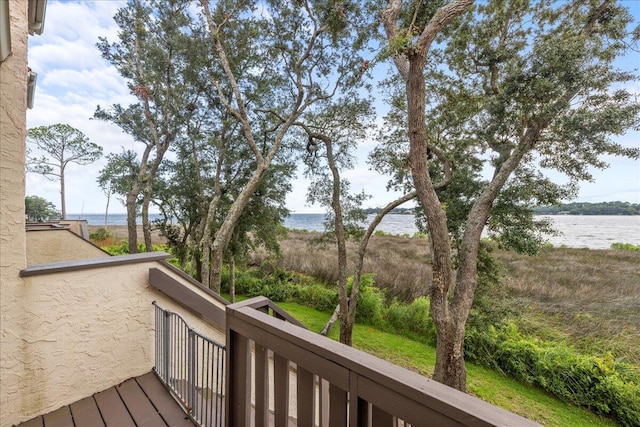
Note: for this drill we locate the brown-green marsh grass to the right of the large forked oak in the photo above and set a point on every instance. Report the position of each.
(587, 298)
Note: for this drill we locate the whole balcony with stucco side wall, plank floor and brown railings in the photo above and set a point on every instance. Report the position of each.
(145, 343)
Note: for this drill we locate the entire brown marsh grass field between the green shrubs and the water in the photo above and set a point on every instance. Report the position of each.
(589, 299)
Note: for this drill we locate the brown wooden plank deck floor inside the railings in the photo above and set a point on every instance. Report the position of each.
(137, 402)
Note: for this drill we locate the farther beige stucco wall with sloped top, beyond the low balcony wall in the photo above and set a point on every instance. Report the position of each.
(45, 246)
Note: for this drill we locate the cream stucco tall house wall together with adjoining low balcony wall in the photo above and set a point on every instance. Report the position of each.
(62, 336)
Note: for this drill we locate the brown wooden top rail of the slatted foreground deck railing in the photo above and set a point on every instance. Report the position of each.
(302, 346)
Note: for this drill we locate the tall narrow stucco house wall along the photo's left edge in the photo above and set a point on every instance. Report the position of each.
(13, 105)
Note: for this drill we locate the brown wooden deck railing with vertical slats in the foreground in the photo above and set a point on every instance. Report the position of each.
(319, 382)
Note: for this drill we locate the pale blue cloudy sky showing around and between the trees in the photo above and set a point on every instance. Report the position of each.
(73, 79)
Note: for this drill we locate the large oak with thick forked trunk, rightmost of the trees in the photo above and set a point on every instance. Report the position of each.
(514, 88)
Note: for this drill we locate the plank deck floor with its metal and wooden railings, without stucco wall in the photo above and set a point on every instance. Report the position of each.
(277, 373)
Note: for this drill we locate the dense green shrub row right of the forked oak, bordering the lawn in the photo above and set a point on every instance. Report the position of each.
(599, 383)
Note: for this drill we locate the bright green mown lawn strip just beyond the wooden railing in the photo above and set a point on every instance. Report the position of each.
(484, 383)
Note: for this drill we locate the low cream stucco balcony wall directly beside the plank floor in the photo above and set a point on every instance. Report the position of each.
(82, 332)
